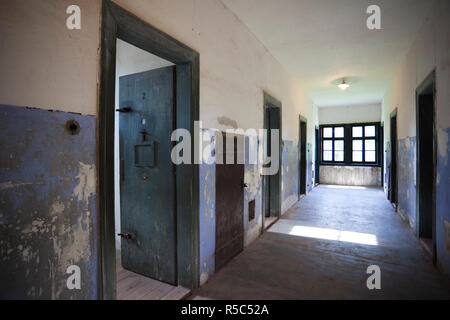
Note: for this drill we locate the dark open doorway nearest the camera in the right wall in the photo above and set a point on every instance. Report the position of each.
(426, 164)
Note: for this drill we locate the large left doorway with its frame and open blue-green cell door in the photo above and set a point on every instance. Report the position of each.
(149, 86)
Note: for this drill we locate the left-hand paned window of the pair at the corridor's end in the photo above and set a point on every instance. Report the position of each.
(333, 144)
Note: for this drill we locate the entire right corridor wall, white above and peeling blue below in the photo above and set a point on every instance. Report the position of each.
(430, 51)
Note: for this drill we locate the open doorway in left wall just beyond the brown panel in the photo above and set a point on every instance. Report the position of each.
(272, 183)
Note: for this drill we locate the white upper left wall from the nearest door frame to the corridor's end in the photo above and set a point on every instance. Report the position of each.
(235, 67)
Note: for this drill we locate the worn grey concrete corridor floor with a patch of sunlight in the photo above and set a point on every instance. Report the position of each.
(305, 255)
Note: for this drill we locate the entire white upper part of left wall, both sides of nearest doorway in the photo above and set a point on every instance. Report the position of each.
(60, 68)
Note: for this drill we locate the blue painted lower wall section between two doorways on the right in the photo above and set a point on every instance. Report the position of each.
(407, 179)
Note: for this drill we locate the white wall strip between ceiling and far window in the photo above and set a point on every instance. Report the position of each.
(350, 114)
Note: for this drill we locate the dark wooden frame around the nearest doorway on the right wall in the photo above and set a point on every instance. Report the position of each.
(429, 80)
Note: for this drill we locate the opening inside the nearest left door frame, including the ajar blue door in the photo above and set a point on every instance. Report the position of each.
(145, 228)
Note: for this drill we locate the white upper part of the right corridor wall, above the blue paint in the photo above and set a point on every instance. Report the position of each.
(430, 50)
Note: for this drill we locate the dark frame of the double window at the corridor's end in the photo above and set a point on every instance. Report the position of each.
(348, 144)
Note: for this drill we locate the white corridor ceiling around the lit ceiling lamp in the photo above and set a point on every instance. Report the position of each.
(321, 41)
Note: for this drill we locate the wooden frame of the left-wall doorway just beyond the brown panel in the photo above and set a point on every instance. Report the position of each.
(271, 102)
